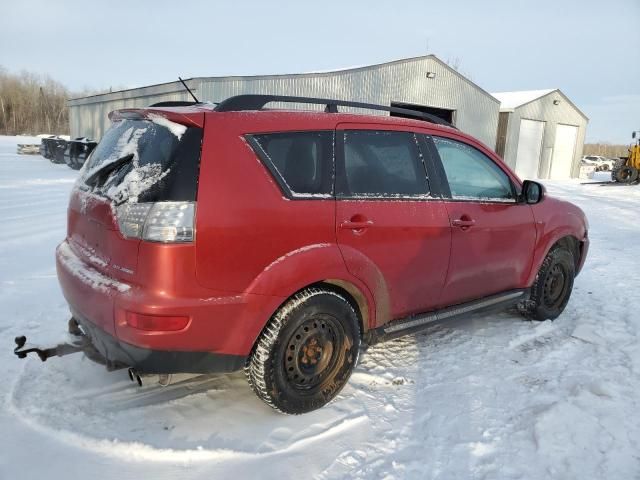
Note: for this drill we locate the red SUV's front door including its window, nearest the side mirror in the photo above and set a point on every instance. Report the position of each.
(493, 236)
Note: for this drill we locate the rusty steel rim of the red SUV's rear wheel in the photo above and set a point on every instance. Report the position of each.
(313, 352)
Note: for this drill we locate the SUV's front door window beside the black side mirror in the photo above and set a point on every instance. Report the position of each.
(471, 174)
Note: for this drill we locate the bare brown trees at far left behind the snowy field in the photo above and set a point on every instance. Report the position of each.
(32, 104)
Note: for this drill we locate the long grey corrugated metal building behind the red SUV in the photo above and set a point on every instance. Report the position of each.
(424, 83)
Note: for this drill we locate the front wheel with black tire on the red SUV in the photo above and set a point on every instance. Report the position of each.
(552, 287)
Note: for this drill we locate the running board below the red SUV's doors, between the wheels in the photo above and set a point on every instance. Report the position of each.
(415, 323)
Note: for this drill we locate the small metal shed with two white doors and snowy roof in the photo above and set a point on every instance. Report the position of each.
(540, 133)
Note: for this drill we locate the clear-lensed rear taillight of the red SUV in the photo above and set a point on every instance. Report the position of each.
(166, 222)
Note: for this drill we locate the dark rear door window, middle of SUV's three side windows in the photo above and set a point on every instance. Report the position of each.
(381, 164)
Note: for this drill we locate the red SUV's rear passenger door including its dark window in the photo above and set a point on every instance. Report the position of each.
(393, 235)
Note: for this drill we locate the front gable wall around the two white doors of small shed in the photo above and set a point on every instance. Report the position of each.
(544, 110)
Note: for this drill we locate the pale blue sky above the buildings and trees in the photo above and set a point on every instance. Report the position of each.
(590, 49)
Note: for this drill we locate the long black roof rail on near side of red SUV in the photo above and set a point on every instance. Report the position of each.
(257, 102)
